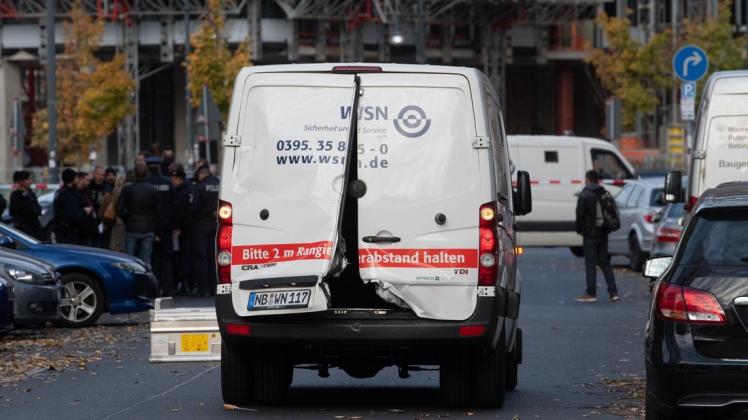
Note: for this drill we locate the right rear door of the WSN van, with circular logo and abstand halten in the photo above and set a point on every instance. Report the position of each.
(418, 220)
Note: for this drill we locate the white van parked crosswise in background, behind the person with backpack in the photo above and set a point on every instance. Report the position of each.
(558, 165)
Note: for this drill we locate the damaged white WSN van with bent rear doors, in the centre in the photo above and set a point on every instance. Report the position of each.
(366, 220)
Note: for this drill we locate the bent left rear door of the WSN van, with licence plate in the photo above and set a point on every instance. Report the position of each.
(286, 190)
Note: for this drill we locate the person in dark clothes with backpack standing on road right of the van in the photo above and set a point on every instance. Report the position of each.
(597, 216)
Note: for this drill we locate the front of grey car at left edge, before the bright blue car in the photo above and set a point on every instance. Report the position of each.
(36, 287)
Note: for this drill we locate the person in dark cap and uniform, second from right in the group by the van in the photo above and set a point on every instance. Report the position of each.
(182, 229)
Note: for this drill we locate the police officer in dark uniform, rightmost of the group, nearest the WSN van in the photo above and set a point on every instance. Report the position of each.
(204, 206)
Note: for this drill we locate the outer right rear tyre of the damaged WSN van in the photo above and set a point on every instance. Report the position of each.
(489, 376)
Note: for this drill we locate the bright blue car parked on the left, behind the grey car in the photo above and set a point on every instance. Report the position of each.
(95, 280)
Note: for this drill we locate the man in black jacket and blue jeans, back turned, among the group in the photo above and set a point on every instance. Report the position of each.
(137, 205)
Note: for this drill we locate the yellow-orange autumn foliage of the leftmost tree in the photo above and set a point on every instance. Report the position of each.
(93, 95)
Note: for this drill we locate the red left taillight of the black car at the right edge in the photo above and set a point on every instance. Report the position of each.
(684, 304)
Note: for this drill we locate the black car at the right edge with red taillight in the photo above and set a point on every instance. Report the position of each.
(696, 344)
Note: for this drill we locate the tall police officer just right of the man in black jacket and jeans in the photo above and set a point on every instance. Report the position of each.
(163, 247)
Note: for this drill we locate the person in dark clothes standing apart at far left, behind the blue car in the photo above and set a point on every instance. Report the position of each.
(24, 207)
